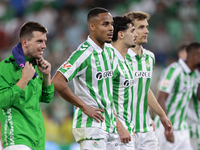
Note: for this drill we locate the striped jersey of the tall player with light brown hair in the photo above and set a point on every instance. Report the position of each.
(142, 68)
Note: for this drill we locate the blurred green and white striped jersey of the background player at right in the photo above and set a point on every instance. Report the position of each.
(178, 81)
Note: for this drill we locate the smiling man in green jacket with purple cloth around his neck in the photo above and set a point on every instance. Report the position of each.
(25, 79)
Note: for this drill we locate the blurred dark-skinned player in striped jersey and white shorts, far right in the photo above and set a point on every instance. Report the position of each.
(175, 91)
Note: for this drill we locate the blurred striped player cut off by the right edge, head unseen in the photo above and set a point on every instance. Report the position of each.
(194, 116)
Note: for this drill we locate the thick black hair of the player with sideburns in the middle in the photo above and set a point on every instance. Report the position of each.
(120, 24)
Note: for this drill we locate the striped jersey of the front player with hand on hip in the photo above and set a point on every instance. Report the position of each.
(91, 69)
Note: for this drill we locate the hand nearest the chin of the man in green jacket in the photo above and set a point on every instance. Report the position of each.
(44, 66)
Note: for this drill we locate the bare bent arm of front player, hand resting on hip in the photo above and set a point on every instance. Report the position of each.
(63, 89)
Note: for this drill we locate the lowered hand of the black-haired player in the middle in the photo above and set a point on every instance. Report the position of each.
(124, 135)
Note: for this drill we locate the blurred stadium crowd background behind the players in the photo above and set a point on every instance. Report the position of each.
(172, 23)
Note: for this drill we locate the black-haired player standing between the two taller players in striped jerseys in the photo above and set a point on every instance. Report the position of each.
(124, 37)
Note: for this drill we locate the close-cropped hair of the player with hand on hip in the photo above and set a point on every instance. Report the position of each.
(95, 11)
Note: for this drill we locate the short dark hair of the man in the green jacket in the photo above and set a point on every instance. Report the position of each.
(26, 30)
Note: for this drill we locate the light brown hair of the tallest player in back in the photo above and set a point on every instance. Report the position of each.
(138, 15)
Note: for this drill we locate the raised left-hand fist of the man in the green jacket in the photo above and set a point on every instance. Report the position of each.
(28, 71)
